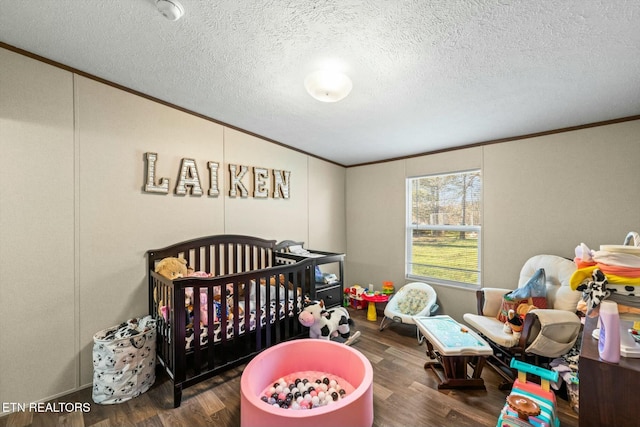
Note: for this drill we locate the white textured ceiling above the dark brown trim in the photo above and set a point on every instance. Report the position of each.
(427, 75)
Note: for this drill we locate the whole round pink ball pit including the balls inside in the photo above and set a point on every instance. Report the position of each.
(350, 371)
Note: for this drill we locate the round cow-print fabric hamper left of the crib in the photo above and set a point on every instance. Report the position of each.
(124, 360)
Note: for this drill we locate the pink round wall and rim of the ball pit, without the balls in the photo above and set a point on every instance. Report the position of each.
(355, 409)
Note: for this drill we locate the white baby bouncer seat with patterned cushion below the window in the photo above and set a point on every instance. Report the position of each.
(416, 299)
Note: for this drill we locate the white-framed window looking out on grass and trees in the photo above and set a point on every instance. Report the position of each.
(443, 228)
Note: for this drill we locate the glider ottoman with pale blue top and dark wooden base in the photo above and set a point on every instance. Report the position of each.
(453, 346)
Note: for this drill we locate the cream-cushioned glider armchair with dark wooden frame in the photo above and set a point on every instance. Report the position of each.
(546, 334)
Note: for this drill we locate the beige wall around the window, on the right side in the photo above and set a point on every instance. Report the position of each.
(541, 195)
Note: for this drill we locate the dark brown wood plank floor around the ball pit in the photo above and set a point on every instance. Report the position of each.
(405, 394)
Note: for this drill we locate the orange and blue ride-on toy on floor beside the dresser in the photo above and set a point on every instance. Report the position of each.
(530, 404)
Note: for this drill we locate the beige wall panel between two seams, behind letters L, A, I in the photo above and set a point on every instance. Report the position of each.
(117, 221)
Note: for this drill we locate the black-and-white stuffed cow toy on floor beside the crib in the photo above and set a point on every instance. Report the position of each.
(325, 324)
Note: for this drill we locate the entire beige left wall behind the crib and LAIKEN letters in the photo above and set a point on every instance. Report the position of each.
(75, 223)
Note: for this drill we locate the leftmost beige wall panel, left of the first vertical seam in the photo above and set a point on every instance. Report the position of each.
(38, 292)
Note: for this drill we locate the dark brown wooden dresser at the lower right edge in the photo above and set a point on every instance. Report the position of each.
(608, 392)
